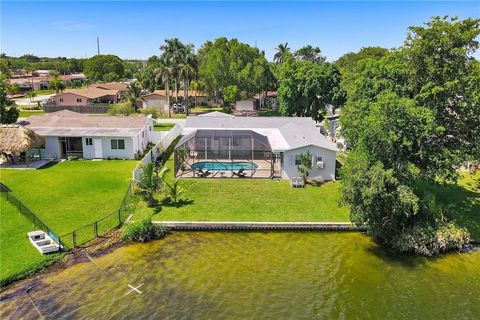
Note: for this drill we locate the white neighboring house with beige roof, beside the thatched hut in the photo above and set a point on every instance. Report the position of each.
(69, 133)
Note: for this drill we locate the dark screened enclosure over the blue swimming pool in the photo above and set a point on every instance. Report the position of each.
(224, 153)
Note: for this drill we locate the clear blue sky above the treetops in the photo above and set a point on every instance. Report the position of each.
(136, 29)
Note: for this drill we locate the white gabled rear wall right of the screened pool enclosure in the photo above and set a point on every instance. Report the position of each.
(290, 170)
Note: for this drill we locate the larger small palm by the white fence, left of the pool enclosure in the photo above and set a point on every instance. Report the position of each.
(150, 182)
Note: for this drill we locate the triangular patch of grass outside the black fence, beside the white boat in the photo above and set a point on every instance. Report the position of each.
(18, 257)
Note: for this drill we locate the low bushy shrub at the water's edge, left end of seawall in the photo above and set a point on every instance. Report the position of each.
(143, 230)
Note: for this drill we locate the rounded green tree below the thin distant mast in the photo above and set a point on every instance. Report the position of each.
(104, 68)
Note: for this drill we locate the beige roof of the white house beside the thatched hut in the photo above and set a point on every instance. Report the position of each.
(69, 123)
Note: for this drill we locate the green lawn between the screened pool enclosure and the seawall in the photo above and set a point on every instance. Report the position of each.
(252, 200)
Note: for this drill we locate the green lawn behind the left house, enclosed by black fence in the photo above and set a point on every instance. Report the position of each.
(71, 194)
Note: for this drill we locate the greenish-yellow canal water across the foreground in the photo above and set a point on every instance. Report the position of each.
(283, 275)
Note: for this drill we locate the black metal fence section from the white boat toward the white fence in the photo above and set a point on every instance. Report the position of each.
(100, 227)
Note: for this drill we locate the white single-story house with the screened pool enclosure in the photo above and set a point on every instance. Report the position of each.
(263, 147)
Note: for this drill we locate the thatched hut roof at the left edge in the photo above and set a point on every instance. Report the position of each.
(17, 138)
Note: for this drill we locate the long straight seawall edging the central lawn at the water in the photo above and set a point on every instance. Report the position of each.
(258, 226)
